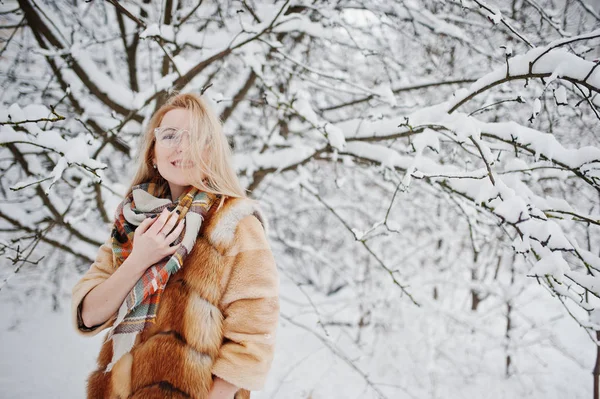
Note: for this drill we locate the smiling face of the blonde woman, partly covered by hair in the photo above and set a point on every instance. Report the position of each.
(167, 158)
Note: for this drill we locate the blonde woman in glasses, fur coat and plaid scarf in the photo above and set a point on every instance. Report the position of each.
(187, 281)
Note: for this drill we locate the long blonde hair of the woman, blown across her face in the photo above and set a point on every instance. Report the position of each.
(206, 133)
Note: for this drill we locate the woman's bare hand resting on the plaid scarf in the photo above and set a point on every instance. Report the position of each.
(151, 240)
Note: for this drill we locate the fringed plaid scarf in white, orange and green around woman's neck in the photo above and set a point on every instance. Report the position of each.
(140, 306)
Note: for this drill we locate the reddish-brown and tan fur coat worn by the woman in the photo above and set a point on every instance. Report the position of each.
(218, 315)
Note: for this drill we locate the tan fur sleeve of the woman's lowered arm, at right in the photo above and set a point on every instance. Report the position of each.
(250, 308)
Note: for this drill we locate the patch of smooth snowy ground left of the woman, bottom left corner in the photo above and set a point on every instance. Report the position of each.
(36, 365)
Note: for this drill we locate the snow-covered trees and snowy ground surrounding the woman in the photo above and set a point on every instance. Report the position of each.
(430, 170)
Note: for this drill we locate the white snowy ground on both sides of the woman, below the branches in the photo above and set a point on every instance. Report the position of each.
(42, 357)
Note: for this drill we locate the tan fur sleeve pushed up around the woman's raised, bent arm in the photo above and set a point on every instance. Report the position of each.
(99, 271)
